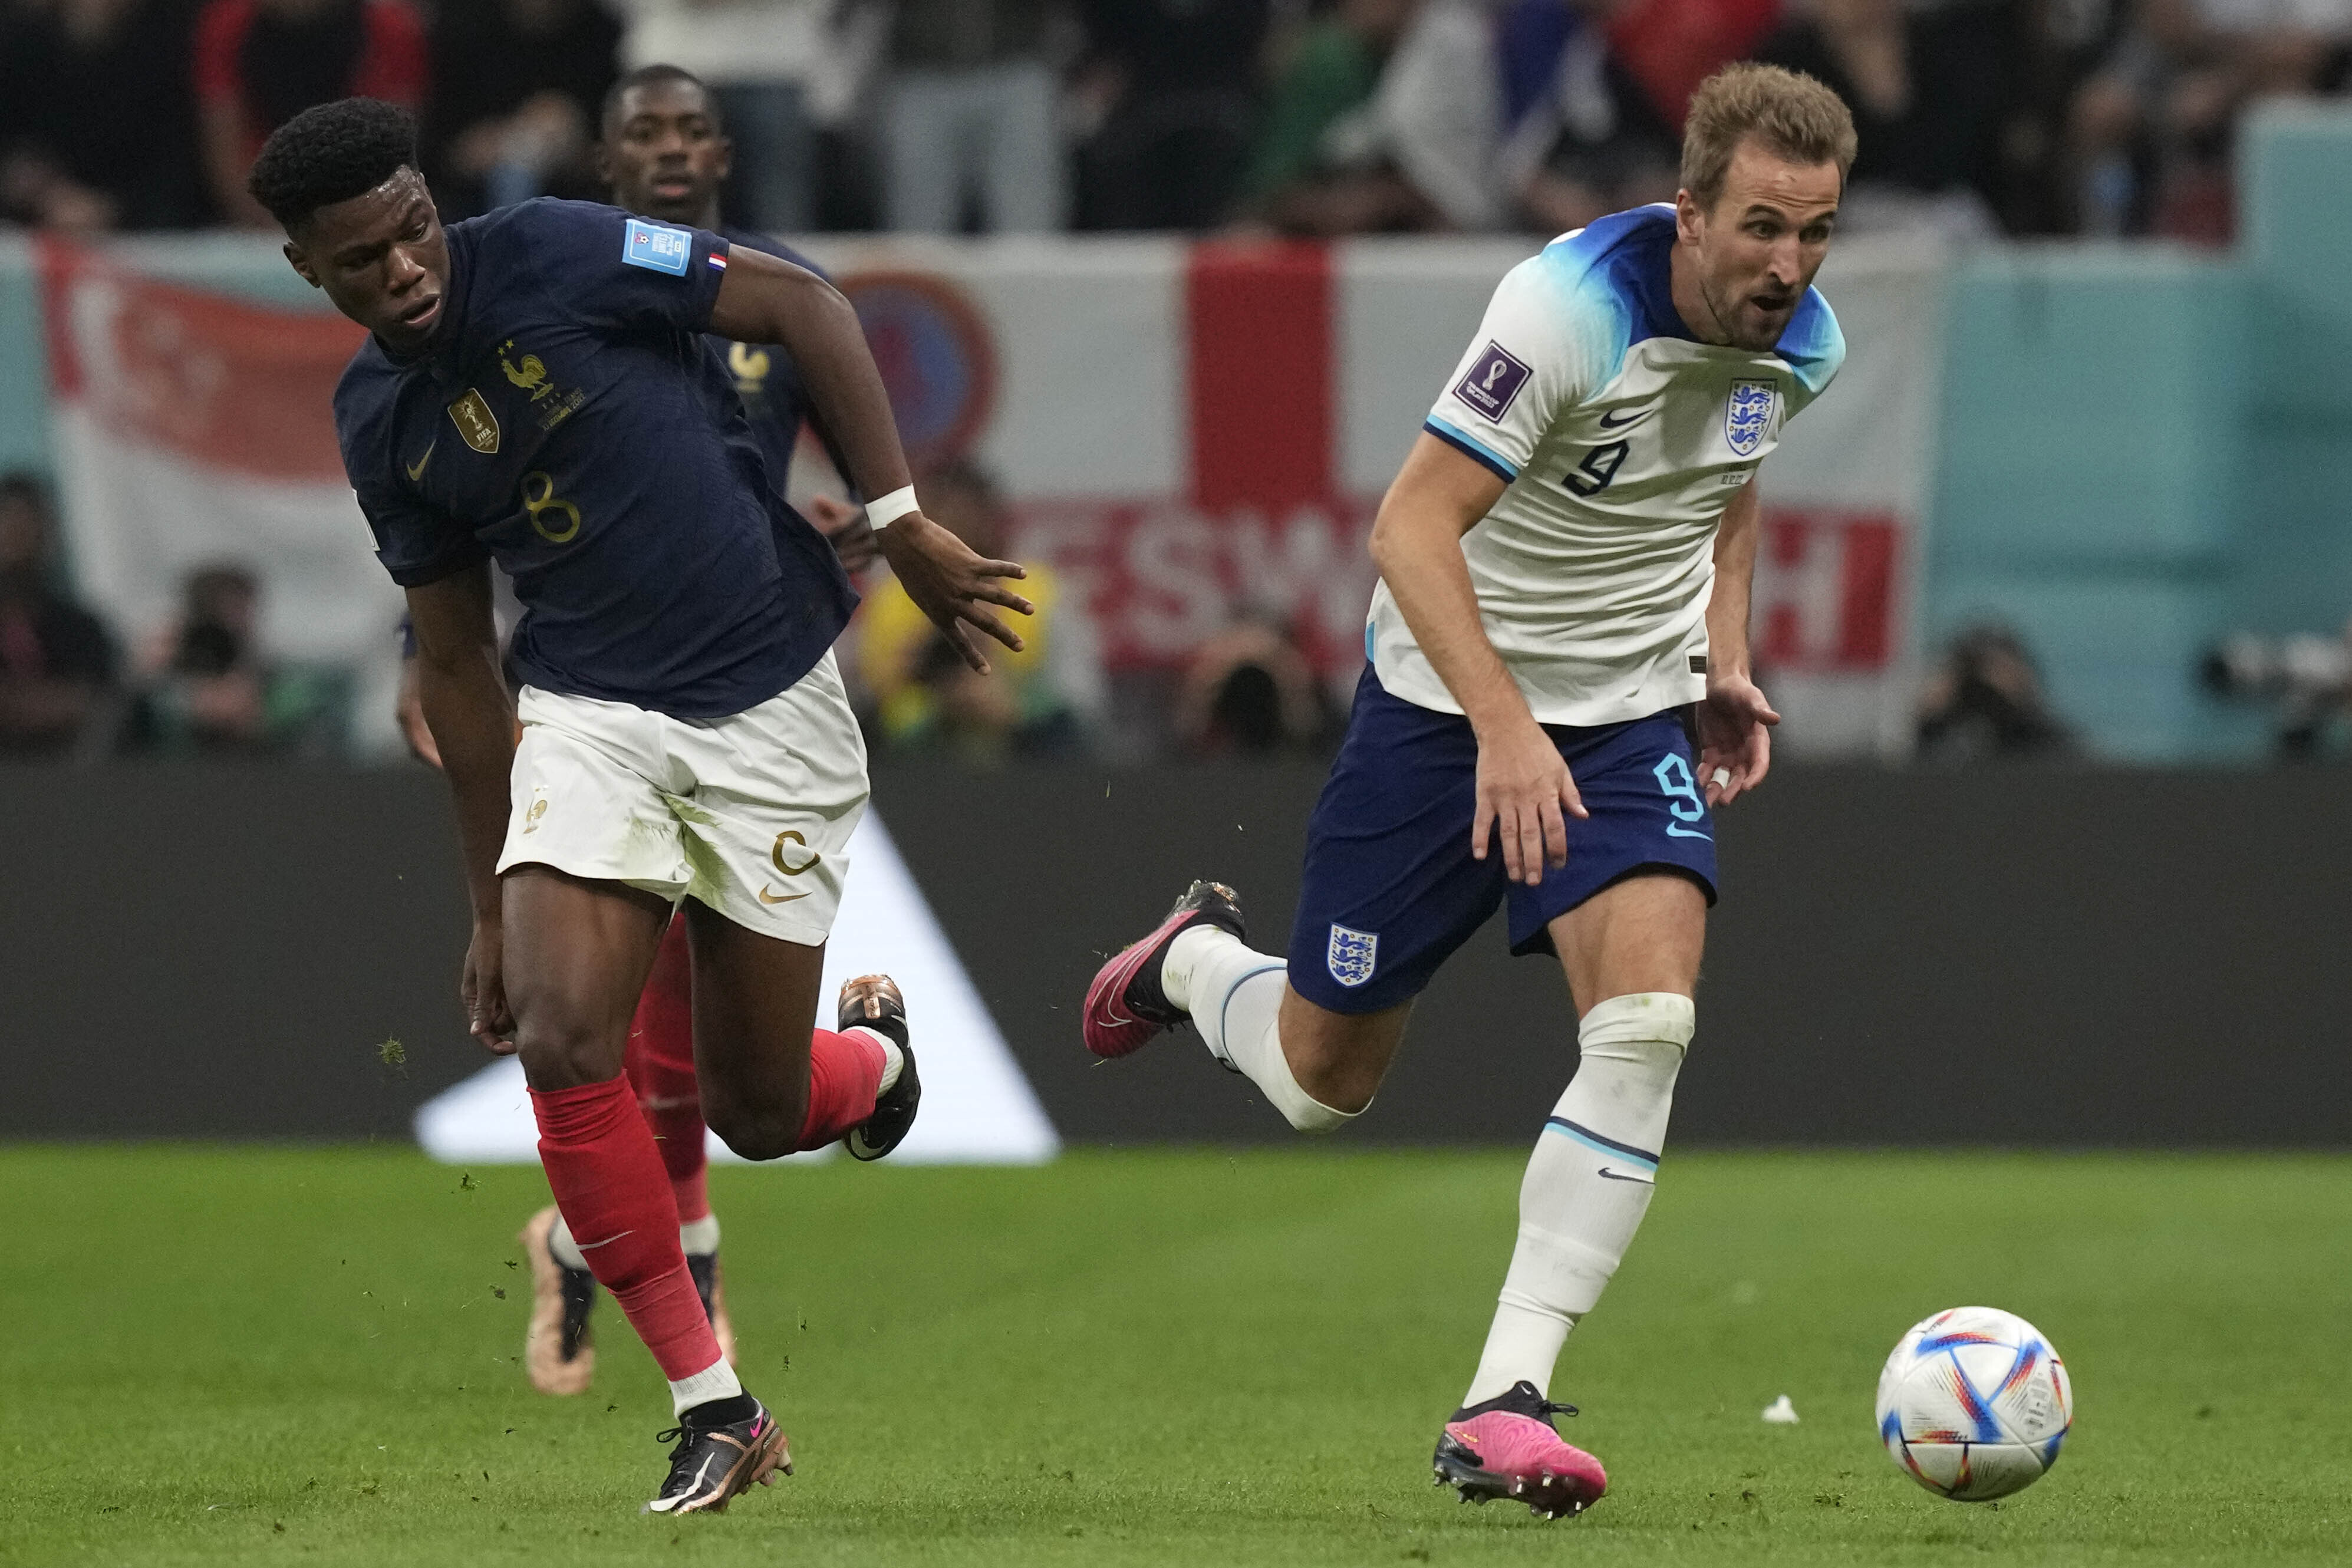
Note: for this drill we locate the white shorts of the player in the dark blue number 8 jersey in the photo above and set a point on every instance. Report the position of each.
(744, 815)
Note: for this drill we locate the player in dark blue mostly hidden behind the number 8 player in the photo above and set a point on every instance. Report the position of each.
(664, 156)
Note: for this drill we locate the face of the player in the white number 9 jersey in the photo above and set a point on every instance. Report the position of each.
(1763, 241)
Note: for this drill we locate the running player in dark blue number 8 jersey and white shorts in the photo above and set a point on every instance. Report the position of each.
(537, 391)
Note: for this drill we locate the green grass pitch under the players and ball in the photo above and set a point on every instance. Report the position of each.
(1161, 1358)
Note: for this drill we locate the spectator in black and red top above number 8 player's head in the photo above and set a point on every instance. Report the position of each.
(262, 62)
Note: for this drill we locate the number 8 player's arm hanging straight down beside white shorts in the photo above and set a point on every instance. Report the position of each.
(474, 725)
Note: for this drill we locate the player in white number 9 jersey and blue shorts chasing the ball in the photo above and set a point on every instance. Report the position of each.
(1561, 624)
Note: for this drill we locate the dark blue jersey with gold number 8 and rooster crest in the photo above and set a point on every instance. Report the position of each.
(573, 422)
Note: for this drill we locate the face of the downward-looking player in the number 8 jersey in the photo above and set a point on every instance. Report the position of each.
(382, 260)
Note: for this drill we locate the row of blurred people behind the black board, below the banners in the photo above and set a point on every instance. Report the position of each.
(206, 685)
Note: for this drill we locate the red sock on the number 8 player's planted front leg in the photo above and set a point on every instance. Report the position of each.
(615, 1195)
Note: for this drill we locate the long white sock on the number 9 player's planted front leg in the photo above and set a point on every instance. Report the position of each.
(1589, 1184)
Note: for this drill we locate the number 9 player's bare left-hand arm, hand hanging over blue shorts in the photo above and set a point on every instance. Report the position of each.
(1417, 542)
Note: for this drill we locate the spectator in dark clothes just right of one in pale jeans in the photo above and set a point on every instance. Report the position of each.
(1172, 88)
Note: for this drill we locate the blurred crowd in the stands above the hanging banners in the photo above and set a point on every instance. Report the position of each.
(1302, 116)
